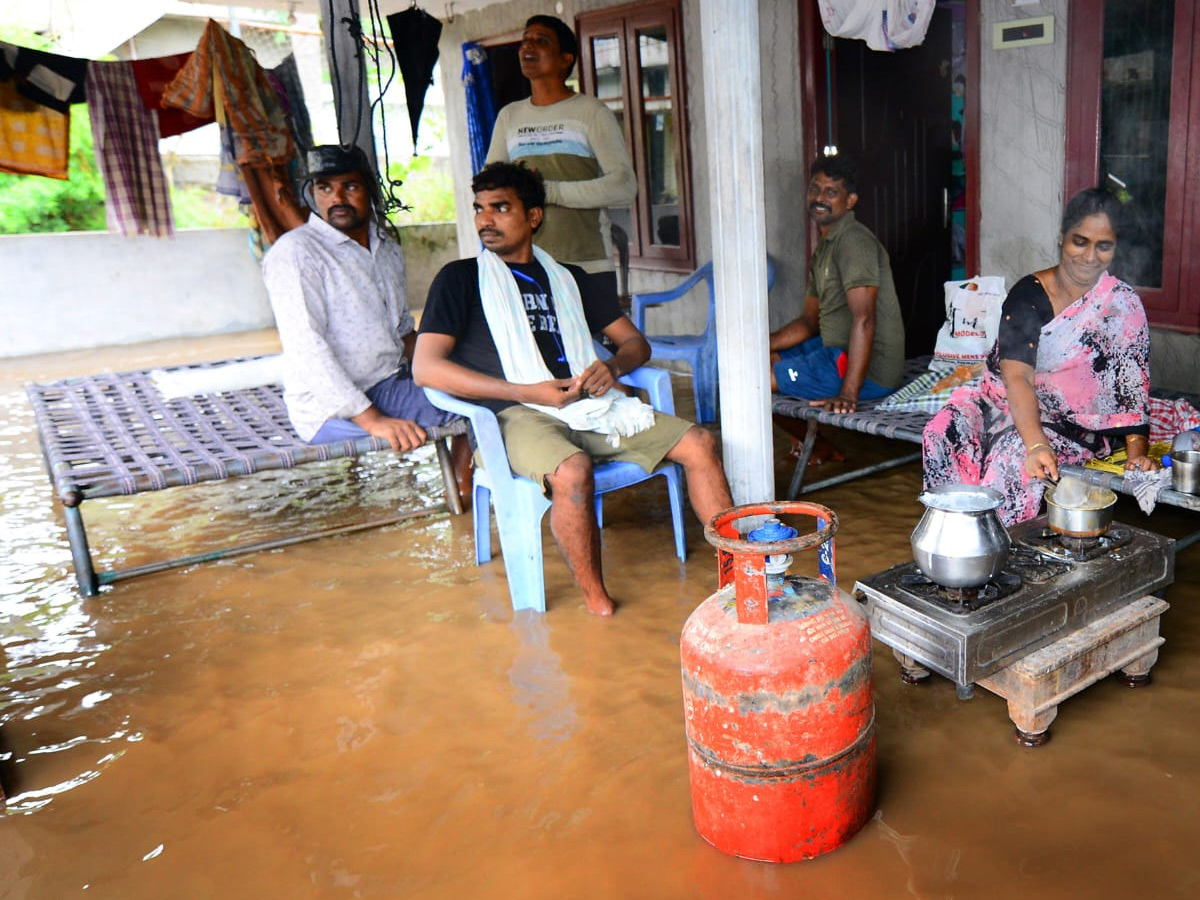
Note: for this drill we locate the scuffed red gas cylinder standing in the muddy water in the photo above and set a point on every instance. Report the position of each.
(777, 686)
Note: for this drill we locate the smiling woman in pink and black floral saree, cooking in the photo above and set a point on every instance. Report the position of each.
(1067, 380)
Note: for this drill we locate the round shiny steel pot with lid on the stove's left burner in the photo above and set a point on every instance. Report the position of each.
(961, 542)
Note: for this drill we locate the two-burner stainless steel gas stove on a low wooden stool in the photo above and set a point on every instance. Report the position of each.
(1047, 591)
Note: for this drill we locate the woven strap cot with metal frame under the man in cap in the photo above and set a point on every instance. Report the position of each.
(116, 435)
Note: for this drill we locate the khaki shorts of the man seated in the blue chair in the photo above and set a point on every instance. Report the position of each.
(538, 443)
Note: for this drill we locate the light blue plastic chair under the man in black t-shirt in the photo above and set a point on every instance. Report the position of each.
(520, 503)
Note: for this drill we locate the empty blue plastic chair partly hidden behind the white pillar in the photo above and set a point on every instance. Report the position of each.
(698, 351)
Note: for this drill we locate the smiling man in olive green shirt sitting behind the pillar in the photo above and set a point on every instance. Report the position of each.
(849, 343)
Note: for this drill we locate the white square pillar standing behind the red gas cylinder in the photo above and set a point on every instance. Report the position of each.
(734, 121)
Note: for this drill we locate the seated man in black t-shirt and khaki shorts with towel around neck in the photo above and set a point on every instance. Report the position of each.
(513, 331)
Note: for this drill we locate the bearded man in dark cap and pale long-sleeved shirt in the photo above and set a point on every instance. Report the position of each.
(338, 290)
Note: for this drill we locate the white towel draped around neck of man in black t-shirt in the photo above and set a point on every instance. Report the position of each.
(615, 413)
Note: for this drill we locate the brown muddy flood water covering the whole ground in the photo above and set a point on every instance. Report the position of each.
(365, 717)
